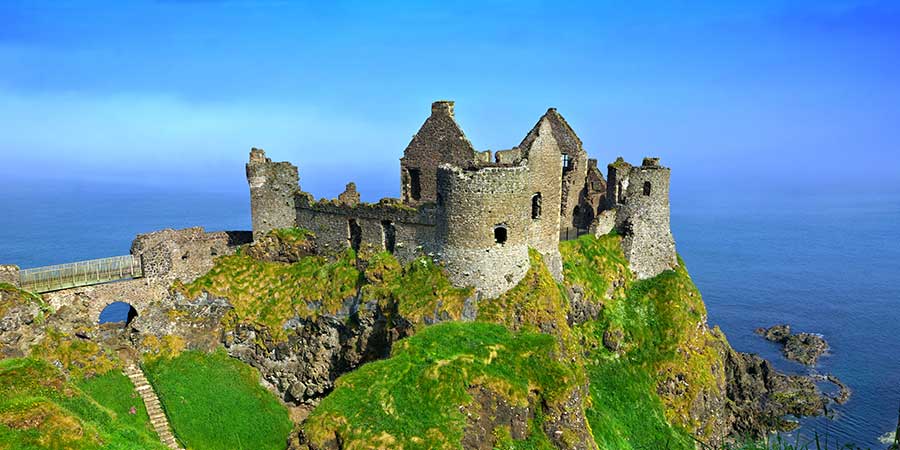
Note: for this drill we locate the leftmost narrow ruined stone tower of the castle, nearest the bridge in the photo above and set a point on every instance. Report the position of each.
(272, 189)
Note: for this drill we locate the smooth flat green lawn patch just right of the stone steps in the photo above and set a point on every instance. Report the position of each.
(215, 402)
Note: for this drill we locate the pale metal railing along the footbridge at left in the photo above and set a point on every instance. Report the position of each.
(81, 273)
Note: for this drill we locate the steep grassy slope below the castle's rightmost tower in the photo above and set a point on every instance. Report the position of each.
(660, 322)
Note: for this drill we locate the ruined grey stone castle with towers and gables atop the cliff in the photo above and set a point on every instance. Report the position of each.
(477, 214)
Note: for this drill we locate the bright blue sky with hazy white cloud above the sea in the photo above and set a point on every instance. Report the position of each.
(798, 96)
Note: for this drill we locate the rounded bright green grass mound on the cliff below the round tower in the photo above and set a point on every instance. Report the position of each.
(412, 400)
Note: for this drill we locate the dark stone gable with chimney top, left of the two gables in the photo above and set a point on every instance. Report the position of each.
(438, 141)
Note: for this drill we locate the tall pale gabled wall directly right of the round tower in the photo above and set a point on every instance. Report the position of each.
(545, 190)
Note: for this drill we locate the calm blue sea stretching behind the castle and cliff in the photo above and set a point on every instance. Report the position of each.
(827, 264)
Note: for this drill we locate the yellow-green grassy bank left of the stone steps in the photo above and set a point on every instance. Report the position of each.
(40, 409)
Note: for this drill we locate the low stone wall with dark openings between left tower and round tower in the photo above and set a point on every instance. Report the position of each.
(384, 226)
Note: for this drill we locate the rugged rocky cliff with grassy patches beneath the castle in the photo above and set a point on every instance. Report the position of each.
(376, 352)
